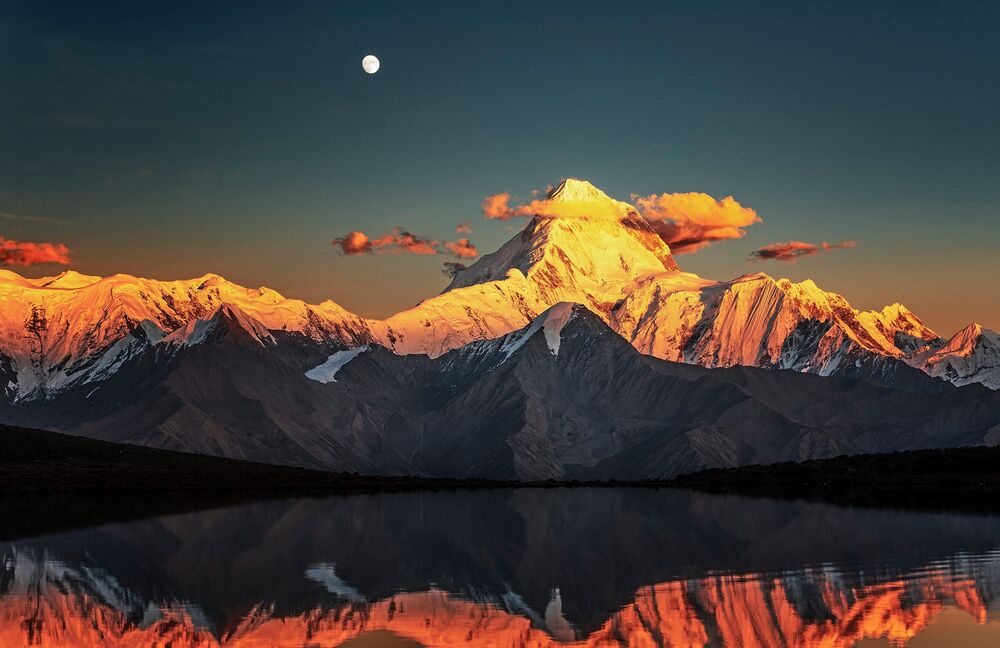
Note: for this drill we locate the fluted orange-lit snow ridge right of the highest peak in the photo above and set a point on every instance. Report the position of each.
(758, 321)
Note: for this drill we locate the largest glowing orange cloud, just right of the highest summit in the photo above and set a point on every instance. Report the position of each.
(687, 222)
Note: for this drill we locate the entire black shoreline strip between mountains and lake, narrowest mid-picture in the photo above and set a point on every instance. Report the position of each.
(53, 482)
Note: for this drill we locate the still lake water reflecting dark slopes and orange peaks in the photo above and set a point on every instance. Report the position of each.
(528, 567)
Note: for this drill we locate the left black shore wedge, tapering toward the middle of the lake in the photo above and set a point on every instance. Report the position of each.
(52, 482)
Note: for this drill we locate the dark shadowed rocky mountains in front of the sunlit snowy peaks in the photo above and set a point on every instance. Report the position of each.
(565, 397)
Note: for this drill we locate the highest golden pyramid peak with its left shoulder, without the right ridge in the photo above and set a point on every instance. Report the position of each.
(587, 250)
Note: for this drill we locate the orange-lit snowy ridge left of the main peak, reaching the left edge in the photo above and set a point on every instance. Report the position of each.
(58, 331)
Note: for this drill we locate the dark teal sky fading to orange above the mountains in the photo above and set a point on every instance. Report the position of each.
(184, 138)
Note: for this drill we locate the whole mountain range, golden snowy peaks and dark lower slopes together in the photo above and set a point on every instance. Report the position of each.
(579, 349)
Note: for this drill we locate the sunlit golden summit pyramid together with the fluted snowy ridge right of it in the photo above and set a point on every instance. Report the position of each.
(607, 262)
